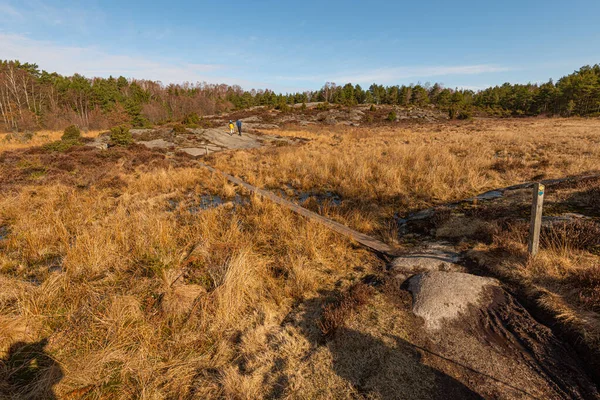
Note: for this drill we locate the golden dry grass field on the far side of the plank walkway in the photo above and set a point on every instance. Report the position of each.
(378, 172)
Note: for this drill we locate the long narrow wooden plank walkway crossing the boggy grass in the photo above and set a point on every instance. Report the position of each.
(361, 238)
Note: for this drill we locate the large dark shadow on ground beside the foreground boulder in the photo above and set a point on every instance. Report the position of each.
(376, 368)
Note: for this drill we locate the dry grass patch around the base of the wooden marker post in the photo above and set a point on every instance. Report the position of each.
(567, 268)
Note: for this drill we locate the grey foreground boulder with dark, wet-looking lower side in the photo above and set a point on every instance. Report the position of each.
(471, 322)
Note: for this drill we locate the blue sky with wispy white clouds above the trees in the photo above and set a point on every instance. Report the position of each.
(295, 45)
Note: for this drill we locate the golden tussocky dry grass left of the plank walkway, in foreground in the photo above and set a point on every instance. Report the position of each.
(140, 300)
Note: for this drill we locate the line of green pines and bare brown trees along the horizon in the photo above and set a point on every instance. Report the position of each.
(31, 98)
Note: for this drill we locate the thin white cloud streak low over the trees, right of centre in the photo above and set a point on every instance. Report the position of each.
(387, 75)
